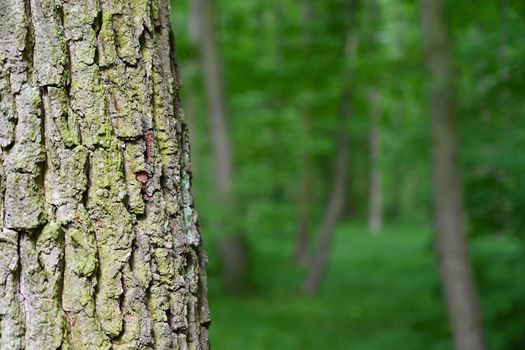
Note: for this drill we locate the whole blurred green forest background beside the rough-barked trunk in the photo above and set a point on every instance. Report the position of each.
(312, 156)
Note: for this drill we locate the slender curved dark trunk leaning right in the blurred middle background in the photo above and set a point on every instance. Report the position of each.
(340, 181)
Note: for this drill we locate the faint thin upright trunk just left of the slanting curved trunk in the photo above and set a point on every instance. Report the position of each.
(302, 253)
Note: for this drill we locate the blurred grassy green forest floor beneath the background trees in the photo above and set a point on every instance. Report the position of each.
(380, 292)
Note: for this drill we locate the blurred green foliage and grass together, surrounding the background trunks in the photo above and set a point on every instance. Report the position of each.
(285, 73)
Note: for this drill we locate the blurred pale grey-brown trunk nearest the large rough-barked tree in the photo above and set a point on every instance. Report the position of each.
(231, 246)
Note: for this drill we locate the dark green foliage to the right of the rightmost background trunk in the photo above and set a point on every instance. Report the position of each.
(491, 85)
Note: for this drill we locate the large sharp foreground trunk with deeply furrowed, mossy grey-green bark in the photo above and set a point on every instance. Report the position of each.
(99, 246)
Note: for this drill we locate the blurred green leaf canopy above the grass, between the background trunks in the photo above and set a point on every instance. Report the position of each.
(284, 77)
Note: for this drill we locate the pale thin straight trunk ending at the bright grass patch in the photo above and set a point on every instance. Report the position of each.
(375, 211)
